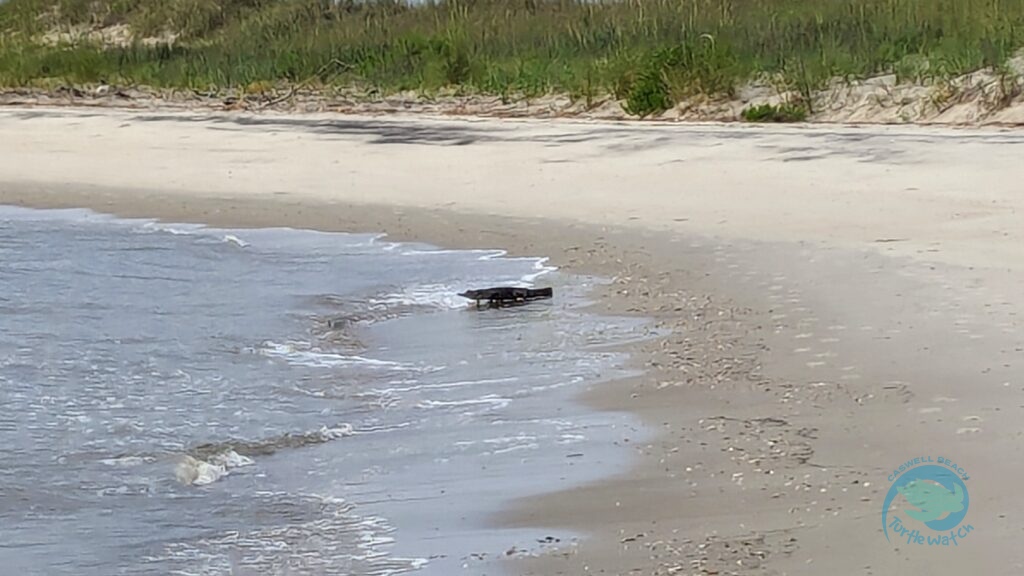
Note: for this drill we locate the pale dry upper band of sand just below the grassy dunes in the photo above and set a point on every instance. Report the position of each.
(953, 193)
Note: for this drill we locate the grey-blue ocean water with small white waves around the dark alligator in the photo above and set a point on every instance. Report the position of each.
(183, 400)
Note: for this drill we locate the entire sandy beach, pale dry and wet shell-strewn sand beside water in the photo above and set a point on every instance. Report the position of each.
(841, 301)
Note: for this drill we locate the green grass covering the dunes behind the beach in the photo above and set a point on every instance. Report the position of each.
(652, 54)
